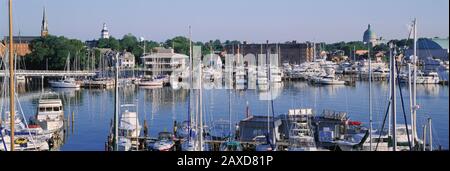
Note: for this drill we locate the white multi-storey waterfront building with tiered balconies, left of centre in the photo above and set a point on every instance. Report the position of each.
(163, 62)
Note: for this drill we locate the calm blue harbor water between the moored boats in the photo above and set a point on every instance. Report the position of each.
(89, 112)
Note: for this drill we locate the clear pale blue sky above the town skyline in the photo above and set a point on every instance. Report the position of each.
(251, 20)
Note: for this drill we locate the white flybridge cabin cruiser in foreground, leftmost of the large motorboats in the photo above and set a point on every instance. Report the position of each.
(50, 113)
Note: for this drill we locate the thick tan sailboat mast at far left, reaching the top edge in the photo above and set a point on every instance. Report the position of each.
(11, 76)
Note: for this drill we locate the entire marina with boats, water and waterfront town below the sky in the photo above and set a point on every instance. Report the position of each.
(112, 94)
